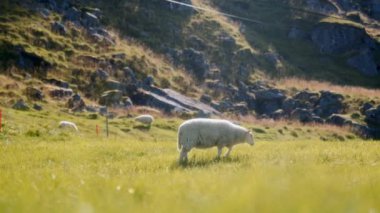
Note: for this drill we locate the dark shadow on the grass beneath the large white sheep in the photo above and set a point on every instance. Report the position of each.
(206, 162)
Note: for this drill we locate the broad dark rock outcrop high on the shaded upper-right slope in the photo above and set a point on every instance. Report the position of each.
(332, 38)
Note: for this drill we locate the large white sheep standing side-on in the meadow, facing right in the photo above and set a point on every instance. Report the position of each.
(206, 133)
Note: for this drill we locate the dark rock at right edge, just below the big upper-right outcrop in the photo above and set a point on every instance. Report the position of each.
(365, 63)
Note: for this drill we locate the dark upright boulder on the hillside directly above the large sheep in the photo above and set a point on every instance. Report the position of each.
(196, 62)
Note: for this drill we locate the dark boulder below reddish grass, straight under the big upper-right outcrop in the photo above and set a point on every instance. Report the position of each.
(329, 103)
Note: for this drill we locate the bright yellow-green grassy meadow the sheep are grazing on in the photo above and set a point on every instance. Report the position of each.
(291, 168)
